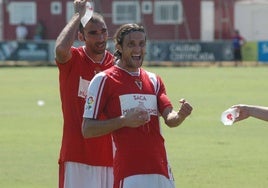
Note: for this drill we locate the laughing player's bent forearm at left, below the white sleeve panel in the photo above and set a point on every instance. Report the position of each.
(94, 128)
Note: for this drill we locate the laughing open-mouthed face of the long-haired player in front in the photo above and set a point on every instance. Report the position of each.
(133, 50)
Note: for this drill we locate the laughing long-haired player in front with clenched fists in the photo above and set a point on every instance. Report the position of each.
(132, 99)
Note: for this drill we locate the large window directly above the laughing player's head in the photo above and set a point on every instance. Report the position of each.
(126, 12)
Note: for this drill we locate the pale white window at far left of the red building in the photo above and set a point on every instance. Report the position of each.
(22, 12)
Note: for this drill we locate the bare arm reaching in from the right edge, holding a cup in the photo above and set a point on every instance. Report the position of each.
(245, 111)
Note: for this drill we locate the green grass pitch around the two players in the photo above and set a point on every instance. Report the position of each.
(203, 152)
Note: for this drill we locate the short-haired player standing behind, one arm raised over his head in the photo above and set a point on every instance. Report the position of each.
(83, 162)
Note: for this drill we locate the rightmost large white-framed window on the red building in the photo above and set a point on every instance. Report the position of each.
(168, 12)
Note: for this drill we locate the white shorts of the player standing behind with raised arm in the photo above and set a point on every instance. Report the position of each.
(78, 175)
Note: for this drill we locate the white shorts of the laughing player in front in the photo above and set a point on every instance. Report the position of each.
(146, 181)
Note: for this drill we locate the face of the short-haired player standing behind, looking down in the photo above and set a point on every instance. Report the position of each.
(95, 36)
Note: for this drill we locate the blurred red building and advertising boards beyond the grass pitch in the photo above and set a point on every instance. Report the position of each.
(178, 31)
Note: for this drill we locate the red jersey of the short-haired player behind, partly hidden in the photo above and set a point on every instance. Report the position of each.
(74, 78)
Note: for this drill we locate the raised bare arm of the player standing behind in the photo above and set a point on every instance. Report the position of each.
(67, 36)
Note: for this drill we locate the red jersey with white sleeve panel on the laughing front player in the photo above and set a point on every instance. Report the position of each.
(138, 150)
